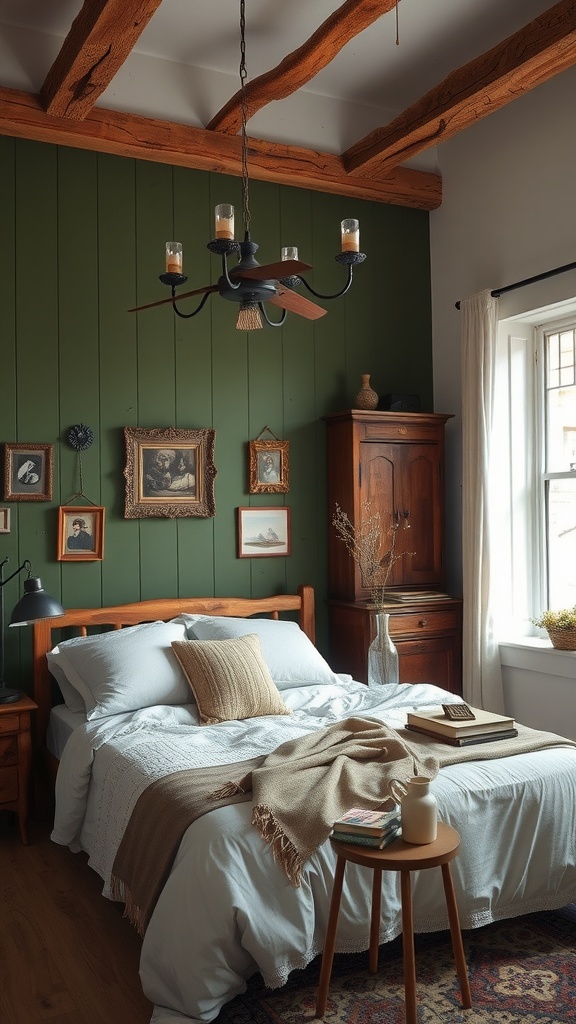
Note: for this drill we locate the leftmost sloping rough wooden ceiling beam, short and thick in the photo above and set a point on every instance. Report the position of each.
(98, 45)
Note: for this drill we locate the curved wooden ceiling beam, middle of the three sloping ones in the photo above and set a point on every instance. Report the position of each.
(304, 64)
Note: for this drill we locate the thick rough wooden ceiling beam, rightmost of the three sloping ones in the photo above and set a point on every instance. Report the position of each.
(522, 62)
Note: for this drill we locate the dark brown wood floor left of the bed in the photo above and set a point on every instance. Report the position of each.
(67, 956)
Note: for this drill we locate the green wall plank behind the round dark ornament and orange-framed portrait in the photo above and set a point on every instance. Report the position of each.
(78, 350)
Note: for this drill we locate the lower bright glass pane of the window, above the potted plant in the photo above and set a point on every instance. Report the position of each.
(562, 543)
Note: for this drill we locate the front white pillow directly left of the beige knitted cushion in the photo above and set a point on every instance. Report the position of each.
(122, 670)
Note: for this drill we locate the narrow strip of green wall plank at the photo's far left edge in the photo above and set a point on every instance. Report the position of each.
(9, 542)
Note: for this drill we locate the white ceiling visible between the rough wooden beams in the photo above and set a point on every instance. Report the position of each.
(185, 66)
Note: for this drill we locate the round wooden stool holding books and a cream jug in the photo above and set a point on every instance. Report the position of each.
(403, 858)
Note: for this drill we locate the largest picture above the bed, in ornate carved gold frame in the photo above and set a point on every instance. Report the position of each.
(170, 473)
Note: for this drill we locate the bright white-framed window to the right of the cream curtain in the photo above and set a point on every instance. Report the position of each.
(533, 468)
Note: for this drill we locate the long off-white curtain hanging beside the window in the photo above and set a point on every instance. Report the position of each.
(482, 674)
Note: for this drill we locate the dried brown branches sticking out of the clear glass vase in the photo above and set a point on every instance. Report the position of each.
(366, 544)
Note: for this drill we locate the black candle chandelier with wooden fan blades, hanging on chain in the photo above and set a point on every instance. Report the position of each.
(246, 282)
